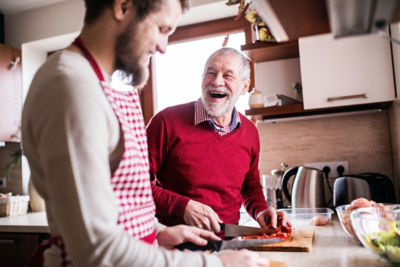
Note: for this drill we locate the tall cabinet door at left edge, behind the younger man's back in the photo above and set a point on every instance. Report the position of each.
(10, 91)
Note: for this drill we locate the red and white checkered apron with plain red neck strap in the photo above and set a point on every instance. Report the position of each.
(131, 180)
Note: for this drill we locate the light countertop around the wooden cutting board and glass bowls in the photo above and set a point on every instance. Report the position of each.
(331, 248)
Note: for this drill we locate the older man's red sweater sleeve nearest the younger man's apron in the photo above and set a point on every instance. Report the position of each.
(167, 202)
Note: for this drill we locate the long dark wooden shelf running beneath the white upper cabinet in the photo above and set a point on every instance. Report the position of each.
(295, 110)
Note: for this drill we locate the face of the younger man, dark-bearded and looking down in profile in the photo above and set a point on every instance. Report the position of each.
(141, 40)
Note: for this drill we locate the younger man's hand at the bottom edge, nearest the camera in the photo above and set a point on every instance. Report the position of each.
(242, 258)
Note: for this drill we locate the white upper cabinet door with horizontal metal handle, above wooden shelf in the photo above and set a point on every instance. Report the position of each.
(346, 71)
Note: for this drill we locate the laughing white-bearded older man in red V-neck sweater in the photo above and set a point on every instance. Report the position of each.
(204, 155)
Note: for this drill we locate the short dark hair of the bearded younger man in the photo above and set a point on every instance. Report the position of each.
(94, 8)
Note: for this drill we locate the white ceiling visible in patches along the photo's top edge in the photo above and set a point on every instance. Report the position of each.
(17, 6)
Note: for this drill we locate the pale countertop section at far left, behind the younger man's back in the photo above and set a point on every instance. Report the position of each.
(32, 222)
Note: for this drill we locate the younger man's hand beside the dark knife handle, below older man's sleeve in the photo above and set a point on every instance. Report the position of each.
(174, 235)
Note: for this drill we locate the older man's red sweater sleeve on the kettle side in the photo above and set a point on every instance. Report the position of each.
(253, 197)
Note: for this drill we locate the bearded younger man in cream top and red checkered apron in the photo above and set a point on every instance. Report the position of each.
(87, 149)
